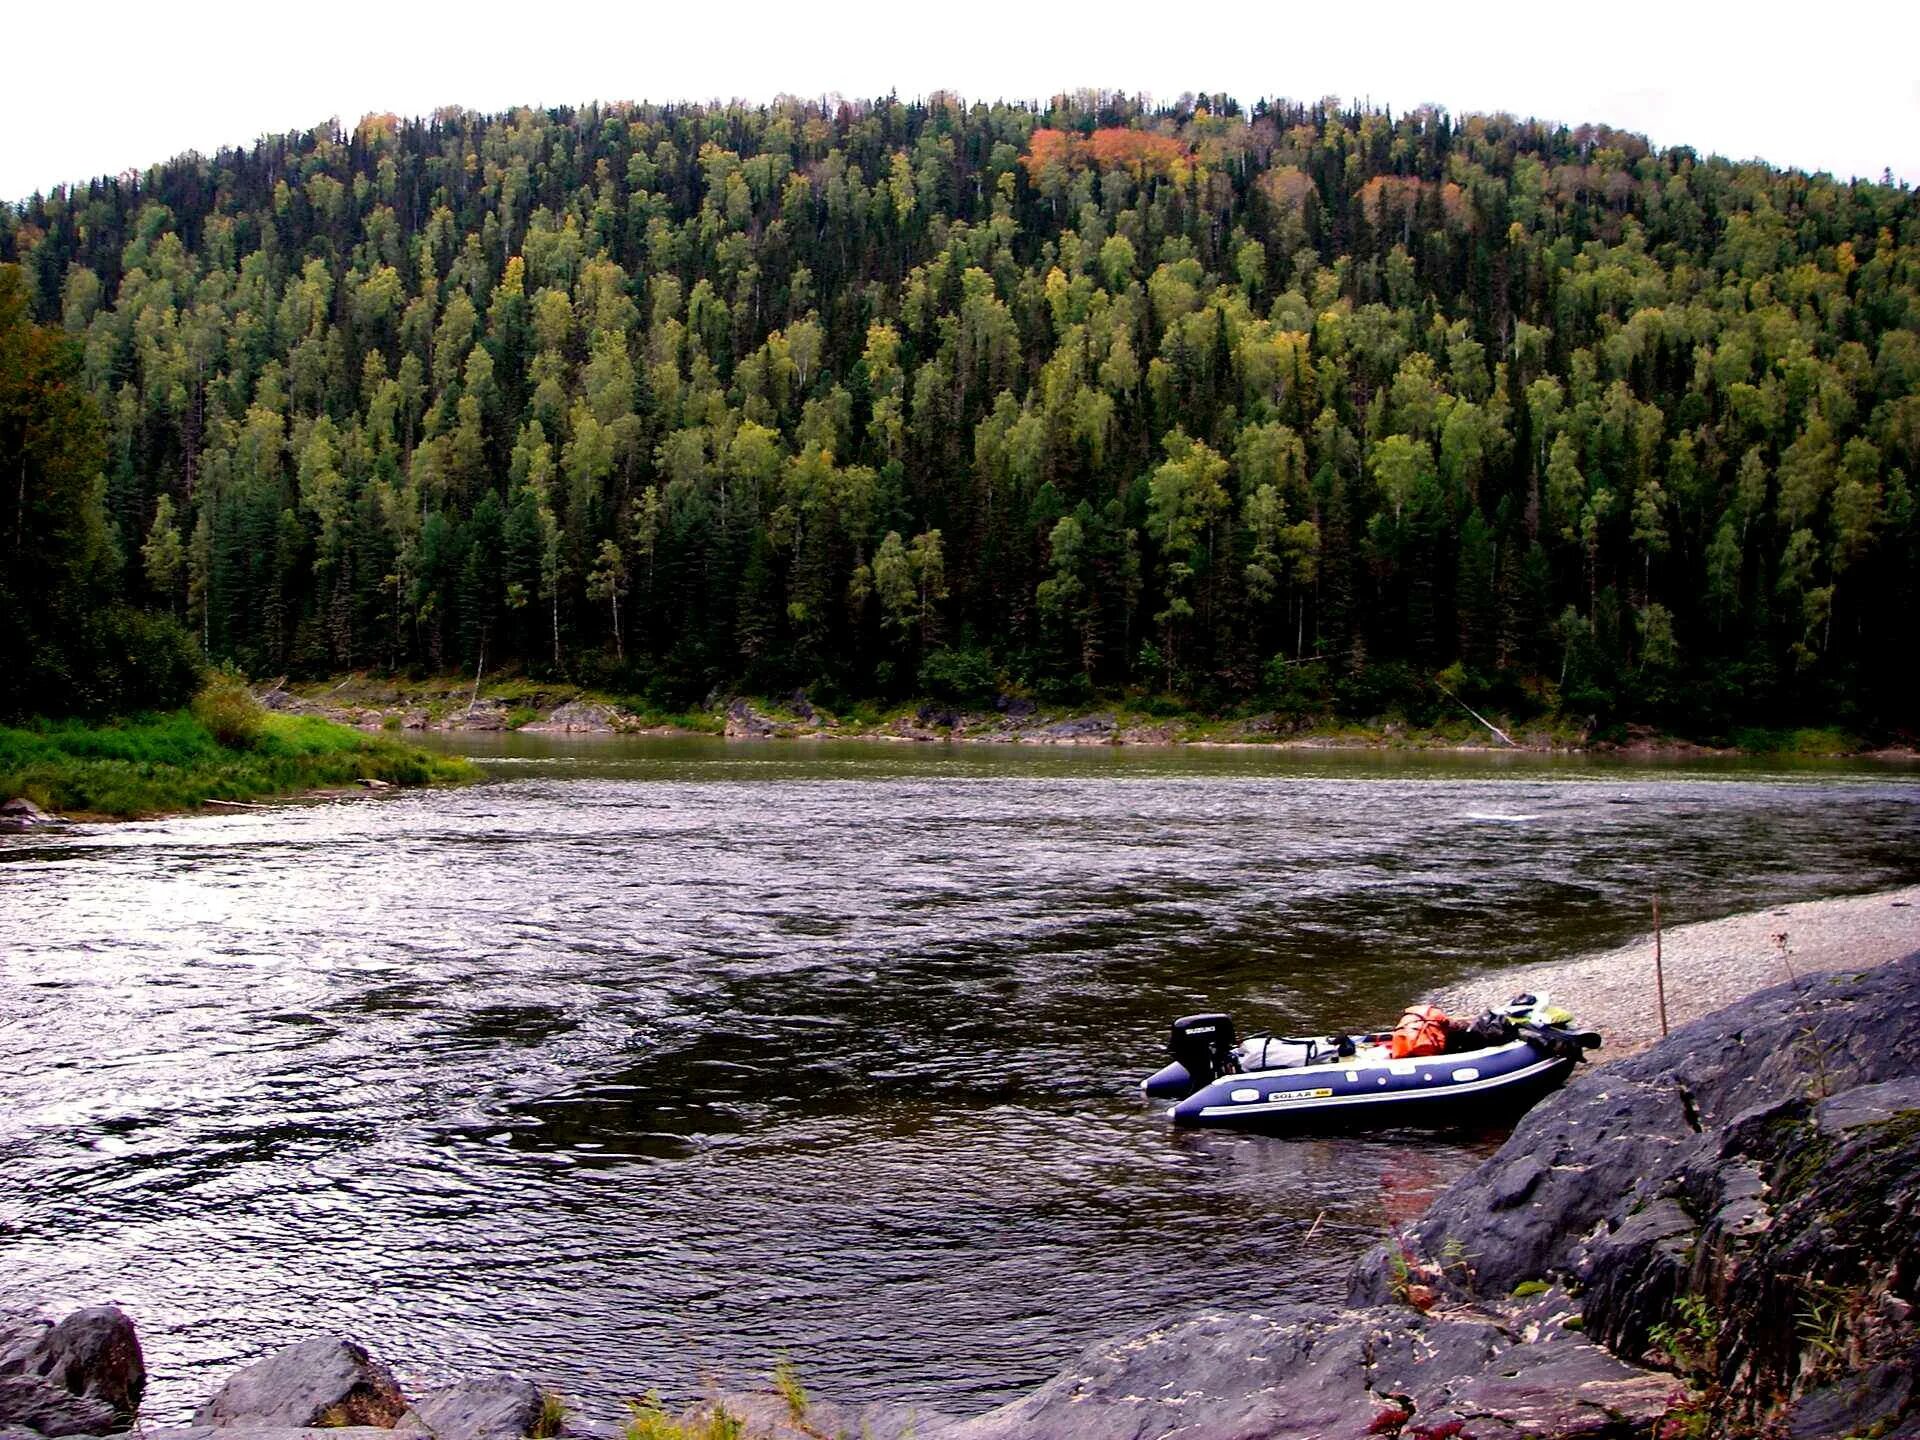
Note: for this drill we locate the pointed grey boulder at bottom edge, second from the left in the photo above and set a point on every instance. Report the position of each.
(327, 1381)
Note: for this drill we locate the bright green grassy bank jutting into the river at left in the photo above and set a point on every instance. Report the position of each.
(180, 761)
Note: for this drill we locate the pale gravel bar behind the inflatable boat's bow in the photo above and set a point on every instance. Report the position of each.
(1708, 965)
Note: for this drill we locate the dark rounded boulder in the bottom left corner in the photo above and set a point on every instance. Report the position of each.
(84, 1376)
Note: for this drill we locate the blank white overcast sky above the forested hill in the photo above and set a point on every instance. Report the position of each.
(89, 91)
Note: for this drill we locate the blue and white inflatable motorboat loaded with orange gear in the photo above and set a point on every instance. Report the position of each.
(1477, 1074)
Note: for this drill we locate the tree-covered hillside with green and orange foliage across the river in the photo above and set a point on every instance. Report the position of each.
(1295, 408)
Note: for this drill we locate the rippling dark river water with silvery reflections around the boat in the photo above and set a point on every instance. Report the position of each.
(650, 1063)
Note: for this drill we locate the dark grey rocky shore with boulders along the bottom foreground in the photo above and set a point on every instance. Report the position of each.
(1716, 1237)
